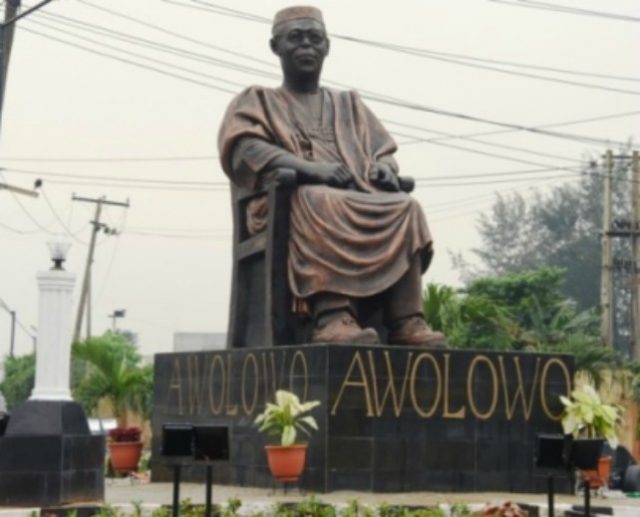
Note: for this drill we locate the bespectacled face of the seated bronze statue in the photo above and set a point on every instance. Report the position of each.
(302, 46)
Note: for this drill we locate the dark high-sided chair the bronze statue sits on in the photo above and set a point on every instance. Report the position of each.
(260, 312)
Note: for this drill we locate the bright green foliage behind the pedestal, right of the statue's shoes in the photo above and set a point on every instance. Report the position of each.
(525, 310)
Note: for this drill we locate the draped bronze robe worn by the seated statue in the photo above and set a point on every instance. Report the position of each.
(355, 242)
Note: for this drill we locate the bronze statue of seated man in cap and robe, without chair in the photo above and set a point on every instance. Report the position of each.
(353, 233)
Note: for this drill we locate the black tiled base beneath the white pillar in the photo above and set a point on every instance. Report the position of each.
(48, 456)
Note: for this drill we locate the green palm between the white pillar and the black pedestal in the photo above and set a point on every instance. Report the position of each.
(113, 372)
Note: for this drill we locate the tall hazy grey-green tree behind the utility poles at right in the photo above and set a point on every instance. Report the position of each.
(560, 228)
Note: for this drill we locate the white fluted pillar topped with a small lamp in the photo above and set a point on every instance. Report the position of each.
(53, 353)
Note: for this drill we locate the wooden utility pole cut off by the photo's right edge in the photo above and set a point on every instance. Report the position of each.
(635, 271)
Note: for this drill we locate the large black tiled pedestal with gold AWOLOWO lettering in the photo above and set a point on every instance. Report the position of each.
(392, 418)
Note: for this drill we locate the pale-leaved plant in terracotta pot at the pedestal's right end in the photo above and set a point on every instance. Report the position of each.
(586, 416)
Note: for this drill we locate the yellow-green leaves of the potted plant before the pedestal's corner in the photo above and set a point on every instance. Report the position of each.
(284, 418)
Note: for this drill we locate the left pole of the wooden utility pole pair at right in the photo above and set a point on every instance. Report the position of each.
(606, 277)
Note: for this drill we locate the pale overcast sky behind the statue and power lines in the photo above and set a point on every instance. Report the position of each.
(148, 135)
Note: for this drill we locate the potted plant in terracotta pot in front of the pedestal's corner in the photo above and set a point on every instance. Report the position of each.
(283, 420)
